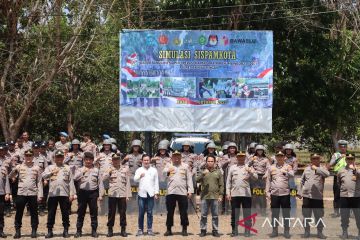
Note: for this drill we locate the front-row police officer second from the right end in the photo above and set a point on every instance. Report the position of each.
(311, 191)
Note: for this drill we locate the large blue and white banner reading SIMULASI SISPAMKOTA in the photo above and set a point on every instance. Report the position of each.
(196, 81)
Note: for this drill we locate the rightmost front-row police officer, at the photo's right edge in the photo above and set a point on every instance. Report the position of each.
(349, 182)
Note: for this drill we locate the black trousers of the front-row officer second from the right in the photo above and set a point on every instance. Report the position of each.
(309, 207)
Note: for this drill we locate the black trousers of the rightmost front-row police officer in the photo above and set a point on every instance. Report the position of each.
(347, 203)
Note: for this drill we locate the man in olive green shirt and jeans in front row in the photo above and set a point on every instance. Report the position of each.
(212, 189)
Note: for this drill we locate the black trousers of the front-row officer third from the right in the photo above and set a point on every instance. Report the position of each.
(282, 202)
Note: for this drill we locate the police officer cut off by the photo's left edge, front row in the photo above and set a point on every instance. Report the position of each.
(4, 196)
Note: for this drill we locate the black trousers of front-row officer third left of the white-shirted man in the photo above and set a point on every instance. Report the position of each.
(64, 207)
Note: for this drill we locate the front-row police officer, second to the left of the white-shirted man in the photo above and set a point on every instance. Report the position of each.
(91, 189)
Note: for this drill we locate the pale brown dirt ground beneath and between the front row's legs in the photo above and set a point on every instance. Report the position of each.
(332, 229)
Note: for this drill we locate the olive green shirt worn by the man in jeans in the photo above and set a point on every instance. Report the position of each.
(212, 184)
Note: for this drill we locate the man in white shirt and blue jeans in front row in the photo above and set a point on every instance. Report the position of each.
(148, 179)
